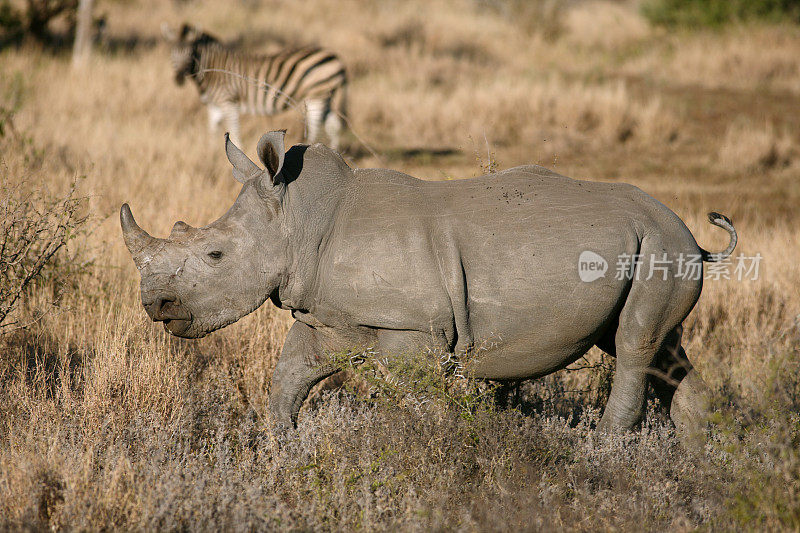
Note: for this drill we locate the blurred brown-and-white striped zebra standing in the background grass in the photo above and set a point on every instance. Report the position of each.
(232, 82)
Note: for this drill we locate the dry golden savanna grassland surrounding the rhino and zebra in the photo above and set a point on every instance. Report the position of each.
(107, 422)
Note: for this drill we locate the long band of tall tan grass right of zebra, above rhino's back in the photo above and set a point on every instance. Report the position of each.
(546, 115)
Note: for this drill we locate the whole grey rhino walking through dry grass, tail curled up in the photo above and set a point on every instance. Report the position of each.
(373, 258)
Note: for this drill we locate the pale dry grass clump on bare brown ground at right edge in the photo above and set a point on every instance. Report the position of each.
(750, 148)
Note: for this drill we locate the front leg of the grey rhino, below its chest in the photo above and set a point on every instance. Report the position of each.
(301, 366)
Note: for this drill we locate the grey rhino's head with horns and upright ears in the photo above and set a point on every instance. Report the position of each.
(199, 280)
